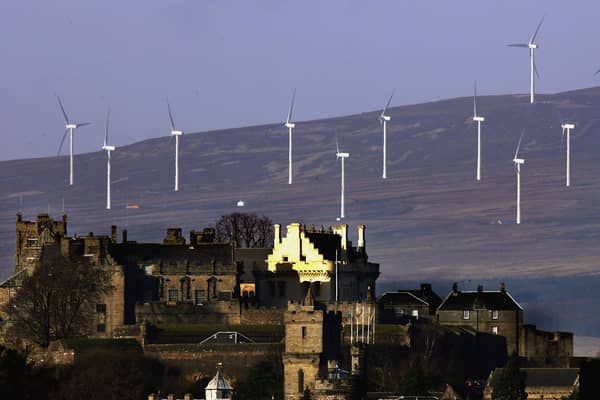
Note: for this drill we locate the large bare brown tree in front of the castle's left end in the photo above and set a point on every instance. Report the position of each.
(58, 300)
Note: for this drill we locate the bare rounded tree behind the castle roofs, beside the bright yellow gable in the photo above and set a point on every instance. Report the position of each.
(245, 230)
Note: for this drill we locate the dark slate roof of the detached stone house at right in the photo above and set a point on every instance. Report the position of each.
(499, 300)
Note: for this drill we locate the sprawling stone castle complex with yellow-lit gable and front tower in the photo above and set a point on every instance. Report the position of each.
(310, 281)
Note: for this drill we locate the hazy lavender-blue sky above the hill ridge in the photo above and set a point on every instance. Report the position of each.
(225, 64)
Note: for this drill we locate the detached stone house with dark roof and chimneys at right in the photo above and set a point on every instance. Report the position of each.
(494, 312)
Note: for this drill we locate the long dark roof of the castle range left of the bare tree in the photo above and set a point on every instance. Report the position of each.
(199, 254)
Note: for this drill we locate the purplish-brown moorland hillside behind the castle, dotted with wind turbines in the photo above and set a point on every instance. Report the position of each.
(428, 219)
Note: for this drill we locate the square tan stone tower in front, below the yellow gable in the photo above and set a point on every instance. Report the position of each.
(303, 347)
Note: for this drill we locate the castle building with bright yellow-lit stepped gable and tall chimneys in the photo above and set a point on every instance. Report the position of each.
(323, 260)
